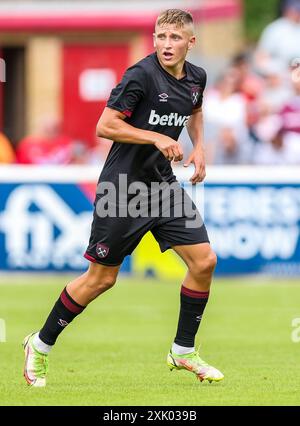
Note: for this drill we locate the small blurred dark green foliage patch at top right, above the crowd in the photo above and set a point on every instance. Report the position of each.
(257, 14)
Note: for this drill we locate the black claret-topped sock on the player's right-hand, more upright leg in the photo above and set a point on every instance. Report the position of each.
(192, 305)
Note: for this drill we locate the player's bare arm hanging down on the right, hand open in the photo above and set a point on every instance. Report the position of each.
(195, 131)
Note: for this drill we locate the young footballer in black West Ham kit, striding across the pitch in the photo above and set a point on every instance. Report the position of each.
(144, 117)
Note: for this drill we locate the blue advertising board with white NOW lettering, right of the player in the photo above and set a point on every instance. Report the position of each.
(254, 227)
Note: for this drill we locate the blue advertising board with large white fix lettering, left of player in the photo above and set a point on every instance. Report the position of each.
(45, 227)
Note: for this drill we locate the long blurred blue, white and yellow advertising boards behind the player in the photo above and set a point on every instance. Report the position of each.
(252, 215)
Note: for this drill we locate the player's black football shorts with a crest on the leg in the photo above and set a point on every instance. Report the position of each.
(113, 238)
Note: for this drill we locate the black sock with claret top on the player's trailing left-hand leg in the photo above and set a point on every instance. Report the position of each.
(63, 312)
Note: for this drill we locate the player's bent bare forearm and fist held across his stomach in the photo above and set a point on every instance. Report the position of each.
(111, 125)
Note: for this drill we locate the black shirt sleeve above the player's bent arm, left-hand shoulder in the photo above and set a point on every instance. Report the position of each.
(128, 93)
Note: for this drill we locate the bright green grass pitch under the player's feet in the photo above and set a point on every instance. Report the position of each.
(115, 352)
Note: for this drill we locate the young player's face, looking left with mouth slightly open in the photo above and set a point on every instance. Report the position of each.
(172, 44)
